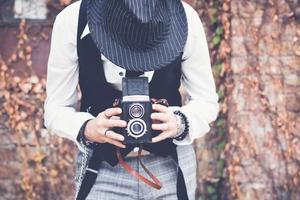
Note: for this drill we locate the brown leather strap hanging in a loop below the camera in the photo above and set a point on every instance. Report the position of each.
(155, 183)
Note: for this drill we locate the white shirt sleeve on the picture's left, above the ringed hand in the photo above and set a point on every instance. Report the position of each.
(60, 115)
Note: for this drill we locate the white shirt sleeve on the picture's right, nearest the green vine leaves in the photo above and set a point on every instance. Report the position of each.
(198, 82)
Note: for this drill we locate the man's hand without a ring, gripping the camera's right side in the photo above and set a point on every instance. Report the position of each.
(167, 125)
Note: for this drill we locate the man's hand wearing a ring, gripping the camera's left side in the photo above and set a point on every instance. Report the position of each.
(99, 129)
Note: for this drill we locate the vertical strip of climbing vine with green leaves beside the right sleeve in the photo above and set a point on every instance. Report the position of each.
(218, 32)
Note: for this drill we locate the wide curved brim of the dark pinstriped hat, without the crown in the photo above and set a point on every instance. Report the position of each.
(123, 56)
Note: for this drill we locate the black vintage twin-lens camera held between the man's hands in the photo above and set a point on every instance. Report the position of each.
(136, 110)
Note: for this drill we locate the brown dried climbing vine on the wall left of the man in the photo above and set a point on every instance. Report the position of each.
(44, 161)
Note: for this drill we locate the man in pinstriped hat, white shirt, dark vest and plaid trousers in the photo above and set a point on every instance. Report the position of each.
(96, 43)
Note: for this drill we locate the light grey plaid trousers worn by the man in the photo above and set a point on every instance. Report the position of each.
(114, 183)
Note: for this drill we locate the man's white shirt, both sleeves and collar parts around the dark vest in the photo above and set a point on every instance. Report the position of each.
(61, 116)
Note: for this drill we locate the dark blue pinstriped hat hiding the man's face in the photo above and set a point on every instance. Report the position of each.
(138, 35)
